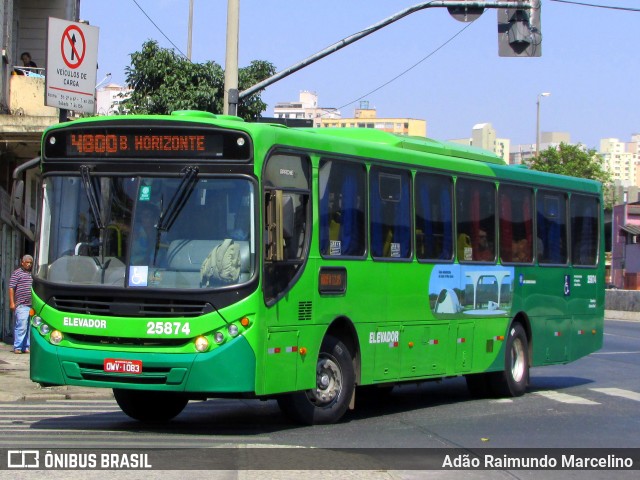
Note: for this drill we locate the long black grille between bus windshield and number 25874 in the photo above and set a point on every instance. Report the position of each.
(140, 308)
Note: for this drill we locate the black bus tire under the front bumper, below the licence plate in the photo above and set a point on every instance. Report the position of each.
(150, 407)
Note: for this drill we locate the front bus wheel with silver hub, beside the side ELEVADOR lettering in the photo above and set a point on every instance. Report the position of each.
(335, 383)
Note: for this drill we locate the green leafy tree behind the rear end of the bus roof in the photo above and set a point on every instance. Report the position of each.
(575, 161)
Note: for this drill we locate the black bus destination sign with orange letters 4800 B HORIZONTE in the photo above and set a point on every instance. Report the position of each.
(154, 143)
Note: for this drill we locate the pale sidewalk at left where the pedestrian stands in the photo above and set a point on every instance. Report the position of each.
(15, 384)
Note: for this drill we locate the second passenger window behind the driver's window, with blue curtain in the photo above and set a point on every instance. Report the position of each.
(390, 211)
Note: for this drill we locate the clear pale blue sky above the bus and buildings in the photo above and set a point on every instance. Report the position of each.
(589, 61)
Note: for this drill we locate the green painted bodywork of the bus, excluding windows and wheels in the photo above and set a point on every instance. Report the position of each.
(385, 312)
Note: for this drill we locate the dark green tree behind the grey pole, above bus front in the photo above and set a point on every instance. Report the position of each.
(163, 81)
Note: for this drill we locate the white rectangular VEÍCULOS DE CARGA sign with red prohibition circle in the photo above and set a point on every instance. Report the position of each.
(72, 64)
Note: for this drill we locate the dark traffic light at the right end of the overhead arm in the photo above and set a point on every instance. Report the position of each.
(519, 32)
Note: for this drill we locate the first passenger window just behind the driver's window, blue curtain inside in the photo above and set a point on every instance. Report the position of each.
(342, 203)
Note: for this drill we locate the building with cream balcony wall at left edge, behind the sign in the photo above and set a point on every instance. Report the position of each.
(23, 118)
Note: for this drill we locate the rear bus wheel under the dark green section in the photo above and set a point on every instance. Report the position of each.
(513, 381)
